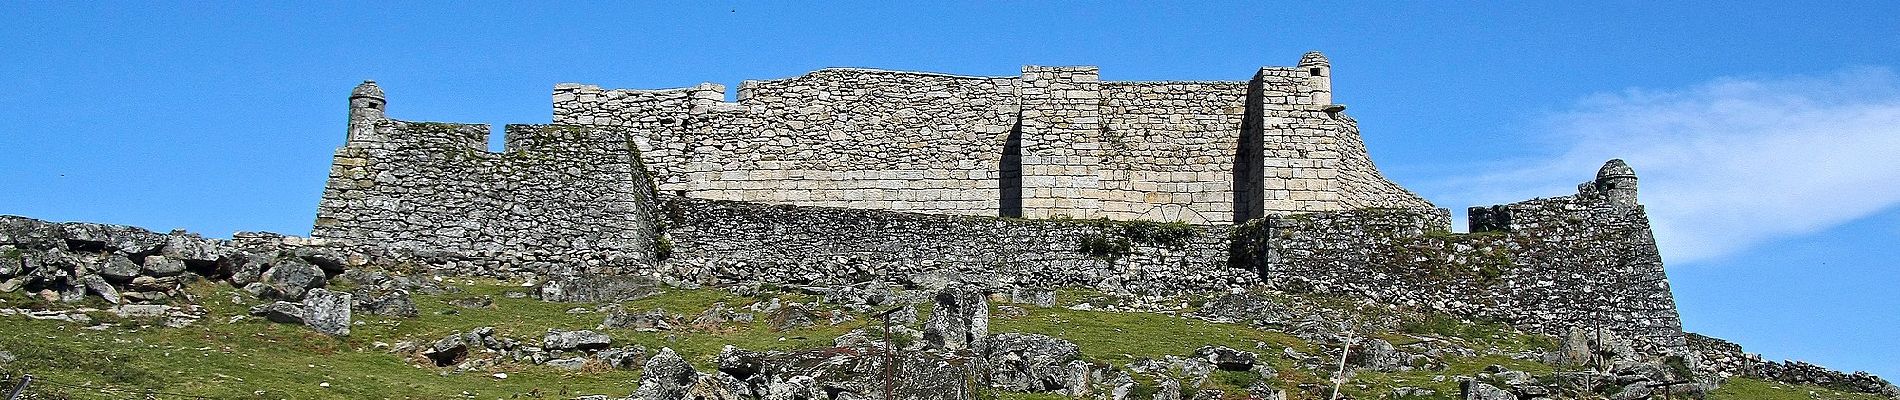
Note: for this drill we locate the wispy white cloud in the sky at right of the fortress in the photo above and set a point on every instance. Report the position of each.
(1730, 164)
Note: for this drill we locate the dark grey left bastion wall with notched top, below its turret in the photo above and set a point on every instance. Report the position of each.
(556, 192)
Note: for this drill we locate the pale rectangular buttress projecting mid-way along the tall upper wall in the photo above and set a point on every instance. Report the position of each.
(1061, 141)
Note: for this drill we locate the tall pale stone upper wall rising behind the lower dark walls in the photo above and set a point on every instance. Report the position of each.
(1052, 143)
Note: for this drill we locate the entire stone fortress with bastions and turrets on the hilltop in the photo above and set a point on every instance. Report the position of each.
(1019, 183)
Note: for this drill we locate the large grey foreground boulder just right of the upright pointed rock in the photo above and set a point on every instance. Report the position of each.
(1031, 363)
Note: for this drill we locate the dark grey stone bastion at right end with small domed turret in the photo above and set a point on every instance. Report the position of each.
(1553, 264)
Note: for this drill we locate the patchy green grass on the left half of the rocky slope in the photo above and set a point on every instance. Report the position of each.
(286, 361)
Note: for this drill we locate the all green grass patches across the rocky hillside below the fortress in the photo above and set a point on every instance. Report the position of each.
(227, 355)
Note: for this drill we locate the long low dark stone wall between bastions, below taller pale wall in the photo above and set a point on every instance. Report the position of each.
(727, 242)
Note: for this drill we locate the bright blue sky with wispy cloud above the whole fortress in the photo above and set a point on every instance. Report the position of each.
(1766, 132)
